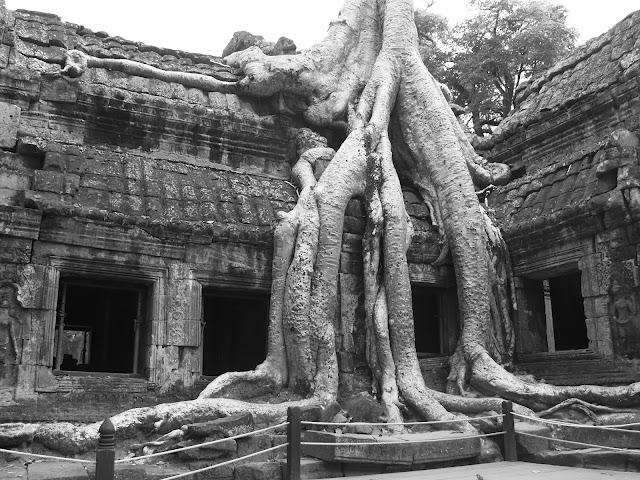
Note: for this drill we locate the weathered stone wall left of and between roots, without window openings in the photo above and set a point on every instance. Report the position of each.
(134, 180)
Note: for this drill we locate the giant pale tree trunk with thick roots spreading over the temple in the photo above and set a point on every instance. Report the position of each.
(366, 76)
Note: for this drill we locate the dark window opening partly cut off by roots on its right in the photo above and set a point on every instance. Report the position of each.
(235, 331)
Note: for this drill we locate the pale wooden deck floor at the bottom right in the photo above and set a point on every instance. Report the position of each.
(506, 470)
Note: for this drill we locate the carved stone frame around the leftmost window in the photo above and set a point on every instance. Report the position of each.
(155, 277)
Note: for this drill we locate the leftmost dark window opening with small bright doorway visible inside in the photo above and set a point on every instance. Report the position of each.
(99, 326)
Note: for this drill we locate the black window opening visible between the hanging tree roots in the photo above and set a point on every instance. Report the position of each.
(426, 319)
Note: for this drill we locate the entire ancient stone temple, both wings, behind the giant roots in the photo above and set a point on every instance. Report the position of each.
(136, 222)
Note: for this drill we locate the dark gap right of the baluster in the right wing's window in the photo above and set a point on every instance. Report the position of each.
(569, 328)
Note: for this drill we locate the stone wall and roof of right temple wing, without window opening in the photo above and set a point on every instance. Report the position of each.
(574, 143)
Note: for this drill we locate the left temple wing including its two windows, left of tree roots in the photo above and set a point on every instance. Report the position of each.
(136, 218)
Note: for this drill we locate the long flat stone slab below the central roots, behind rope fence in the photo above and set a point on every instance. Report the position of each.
(411, 449)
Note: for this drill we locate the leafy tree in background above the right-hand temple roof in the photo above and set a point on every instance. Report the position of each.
(503, 44)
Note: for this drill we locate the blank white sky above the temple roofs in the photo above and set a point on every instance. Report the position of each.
(205, 26)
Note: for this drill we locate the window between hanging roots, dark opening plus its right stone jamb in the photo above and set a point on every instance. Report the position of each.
(434, 318)
